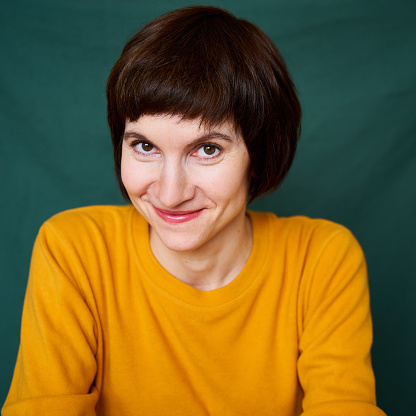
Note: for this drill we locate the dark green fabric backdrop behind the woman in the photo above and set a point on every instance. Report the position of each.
(354, 65)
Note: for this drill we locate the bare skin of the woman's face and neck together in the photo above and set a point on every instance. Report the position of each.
(191, 185)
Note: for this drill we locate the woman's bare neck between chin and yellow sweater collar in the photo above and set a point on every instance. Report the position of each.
(212, 265)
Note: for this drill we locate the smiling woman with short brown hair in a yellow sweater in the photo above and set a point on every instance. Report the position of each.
(184, 303)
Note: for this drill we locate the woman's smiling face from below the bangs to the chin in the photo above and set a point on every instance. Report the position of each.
(190, 183)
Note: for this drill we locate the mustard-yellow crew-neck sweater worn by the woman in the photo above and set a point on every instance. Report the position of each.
(107, 331)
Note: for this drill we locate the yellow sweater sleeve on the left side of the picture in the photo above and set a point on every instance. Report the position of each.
(56, 365)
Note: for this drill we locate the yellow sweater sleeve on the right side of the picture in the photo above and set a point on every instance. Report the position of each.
(334, 366)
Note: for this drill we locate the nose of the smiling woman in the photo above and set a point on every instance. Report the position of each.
(173, 186)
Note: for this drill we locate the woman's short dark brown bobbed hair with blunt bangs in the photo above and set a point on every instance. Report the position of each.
(203, 62)
